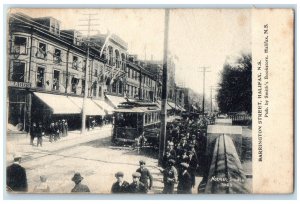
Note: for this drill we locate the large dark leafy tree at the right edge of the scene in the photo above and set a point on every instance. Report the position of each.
(235, 93)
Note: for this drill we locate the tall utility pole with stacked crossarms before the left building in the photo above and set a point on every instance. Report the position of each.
(89, 24)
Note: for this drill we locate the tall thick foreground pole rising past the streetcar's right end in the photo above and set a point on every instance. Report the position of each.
(162, 138)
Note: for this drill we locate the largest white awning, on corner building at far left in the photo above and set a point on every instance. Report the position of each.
(59, 104)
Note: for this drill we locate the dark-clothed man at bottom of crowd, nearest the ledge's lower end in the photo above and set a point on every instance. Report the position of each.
(184, 180)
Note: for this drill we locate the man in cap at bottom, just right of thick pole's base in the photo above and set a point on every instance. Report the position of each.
(170, 177)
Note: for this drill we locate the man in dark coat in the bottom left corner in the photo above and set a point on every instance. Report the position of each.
(16, 179)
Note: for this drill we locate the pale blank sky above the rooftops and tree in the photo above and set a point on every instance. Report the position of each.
(197, 37)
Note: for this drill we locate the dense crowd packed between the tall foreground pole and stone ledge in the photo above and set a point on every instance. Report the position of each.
(184, 157)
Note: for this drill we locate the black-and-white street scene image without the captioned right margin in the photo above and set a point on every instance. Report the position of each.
(129, 101)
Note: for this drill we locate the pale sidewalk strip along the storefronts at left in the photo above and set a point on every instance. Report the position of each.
(20, 143)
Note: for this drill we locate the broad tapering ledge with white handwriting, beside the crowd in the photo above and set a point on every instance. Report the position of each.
(225, 174)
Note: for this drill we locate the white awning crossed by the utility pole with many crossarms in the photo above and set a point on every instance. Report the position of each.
(90, 107)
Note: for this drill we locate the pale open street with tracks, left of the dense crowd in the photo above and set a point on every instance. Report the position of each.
(92, 155)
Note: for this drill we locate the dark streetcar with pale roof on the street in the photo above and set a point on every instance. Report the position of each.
(135, 120)
